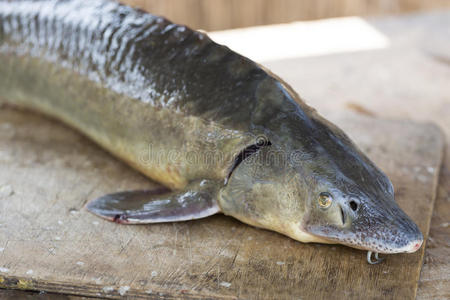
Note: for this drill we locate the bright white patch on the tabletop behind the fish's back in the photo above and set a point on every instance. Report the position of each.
(301, 39)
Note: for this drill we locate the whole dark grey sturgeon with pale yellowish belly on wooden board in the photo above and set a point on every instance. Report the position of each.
(219, 132)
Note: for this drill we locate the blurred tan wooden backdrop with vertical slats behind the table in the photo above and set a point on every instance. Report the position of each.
(225, 14)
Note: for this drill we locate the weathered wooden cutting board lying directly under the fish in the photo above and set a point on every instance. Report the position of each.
(49, 242)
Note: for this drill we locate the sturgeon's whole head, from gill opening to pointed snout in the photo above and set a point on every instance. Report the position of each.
(322, 189)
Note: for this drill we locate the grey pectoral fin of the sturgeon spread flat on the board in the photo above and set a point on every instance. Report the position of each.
(156, 206)
